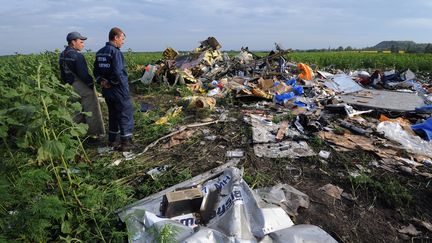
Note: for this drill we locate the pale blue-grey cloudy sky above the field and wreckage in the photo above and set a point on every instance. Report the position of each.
(32, 26)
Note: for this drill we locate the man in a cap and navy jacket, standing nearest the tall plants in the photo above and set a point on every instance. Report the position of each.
(74, 71)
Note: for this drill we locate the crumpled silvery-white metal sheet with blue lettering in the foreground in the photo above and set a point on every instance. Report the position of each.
(230, 212)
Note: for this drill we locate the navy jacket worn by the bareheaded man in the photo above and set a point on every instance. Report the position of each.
(110, 65)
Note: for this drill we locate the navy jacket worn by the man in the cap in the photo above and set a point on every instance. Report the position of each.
(73, 64)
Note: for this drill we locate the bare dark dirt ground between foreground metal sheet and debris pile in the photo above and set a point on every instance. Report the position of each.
(365, 215)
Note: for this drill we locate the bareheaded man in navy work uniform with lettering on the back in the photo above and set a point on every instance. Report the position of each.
(110, 72)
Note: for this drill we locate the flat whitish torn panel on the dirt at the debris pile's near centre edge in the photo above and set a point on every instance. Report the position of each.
(289, 149)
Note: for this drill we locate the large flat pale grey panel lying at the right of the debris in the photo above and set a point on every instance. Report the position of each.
(386, 100)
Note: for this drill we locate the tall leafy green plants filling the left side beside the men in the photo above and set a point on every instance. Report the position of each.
(48, 190)
